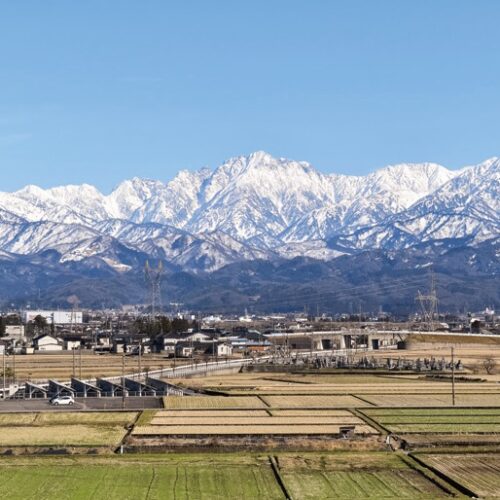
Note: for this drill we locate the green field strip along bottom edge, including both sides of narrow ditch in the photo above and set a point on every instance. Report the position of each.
(227, 476)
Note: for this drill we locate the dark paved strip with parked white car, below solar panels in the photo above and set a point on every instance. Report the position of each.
(81, 404)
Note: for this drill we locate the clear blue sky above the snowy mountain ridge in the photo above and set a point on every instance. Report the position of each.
(102, 91)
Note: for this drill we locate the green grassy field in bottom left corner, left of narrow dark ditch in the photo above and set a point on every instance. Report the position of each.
(140, 477)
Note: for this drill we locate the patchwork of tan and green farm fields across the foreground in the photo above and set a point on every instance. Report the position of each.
(269, 417)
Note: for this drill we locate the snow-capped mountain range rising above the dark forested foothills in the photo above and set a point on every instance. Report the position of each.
(255, 207)
